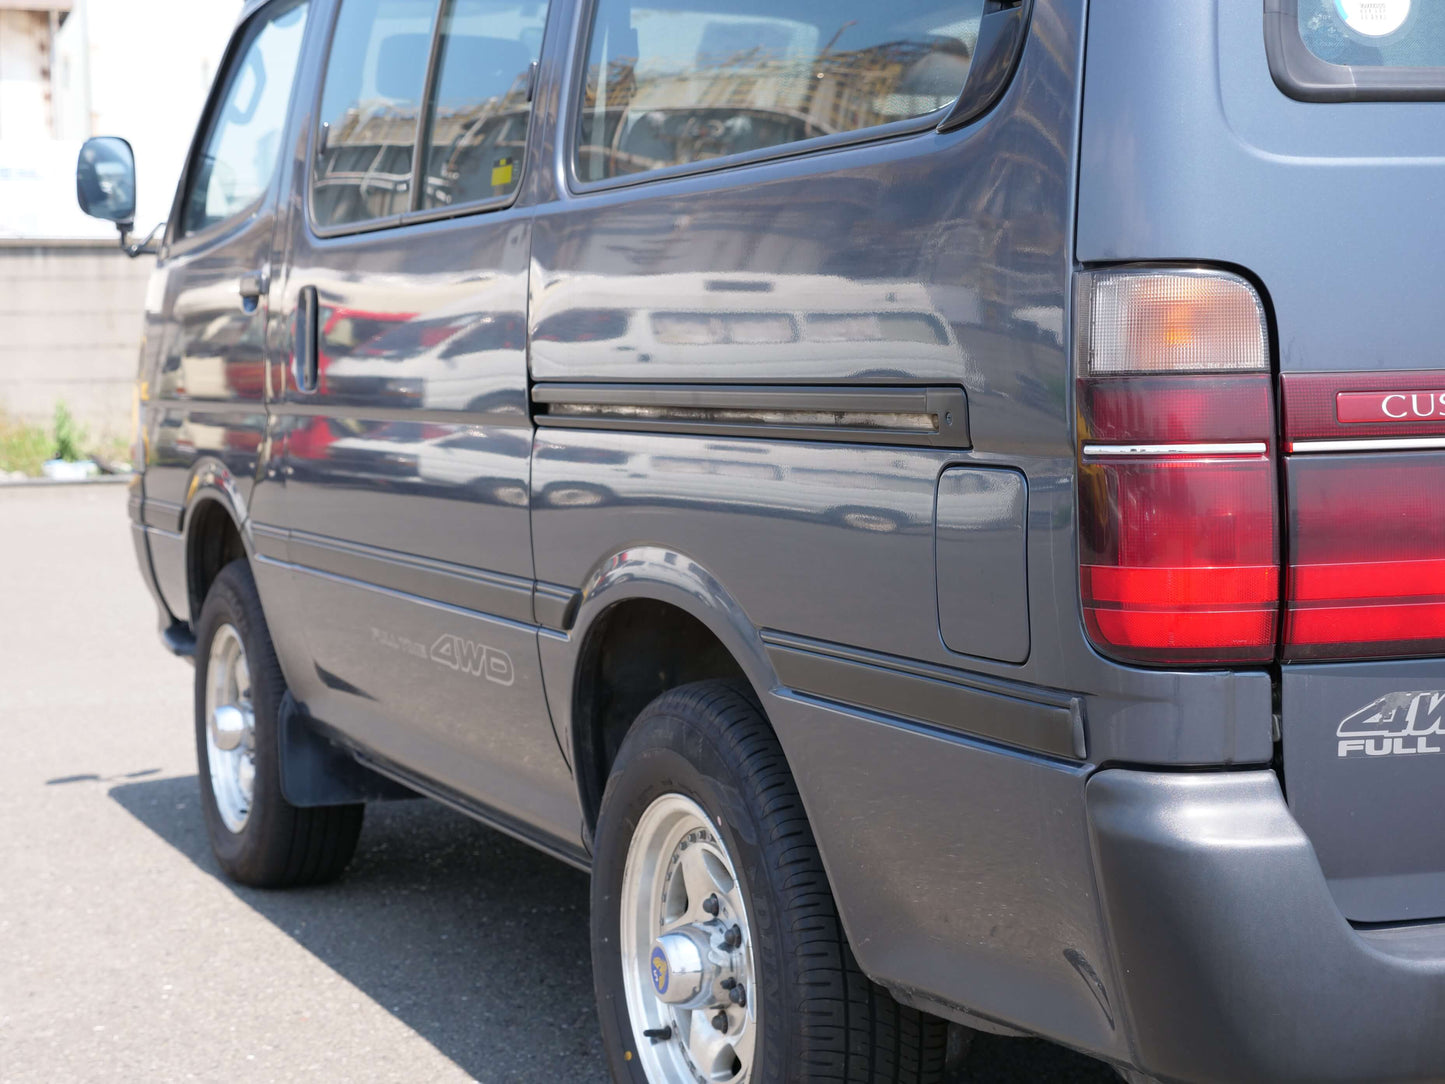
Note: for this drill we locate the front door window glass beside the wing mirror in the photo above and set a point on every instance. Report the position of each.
(243, 142)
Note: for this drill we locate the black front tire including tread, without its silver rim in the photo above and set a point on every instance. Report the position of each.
(280, 845)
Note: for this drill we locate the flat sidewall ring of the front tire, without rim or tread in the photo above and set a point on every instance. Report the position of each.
(230, 603)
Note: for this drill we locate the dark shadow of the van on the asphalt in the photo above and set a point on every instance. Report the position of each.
(480, 943)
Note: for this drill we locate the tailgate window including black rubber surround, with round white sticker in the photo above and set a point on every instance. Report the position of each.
(1358, 50)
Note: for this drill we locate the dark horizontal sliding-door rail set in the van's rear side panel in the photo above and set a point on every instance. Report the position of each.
(936, 417)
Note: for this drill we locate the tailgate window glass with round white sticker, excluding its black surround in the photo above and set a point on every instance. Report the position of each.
(1375, 34)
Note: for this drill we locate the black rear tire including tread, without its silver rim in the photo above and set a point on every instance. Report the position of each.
(820, 1018)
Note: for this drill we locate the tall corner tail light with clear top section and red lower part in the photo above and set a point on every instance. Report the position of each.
(1178, 494)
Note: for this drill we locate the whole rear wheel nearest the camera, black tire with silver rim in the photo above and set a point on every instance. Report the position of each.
(717, 949)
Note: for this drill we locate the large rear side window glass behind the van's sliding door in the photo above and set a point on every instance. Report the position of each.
(678, 82)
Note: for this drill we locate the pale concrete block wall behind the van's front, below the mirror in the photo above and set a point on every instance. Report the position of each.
(70, 330)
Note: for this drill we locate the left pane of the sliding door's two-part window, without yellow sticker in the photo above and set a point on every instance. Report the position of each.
(369, 111)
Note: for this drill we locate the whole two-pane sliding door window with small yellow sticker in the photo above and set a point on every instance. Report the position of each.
(452, 77)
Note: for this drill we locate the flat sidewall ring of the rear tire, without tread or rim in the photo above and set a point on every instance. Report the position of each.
(670, 754)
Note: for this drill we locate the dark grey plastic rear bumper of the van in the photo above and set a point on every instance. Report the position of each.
(1232, 959)
